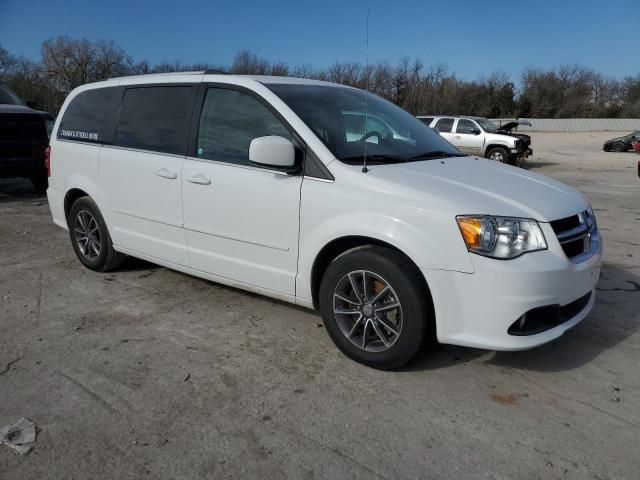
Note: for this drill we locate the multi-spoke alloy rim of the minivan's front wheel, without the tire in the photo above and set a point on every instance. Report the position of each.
(367, 311)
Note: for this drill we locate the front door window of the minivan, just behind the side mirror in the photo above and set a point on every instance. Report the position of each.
(229, 121)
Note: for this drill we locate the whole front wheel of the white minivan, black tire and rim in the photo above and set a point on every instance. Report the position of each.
(391, 279)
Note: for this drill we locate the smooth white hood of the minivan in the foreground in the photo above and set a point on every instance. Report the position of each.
(473, 185)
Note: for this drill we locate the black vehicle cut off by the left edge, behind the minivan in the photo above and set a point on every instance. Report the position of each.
(24, 135)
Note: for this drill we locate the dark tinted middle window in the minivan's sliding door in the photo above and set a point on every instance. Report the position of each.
(155, 118)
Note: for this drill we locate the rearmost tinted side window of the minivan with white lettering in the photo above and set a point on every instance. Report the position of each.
(89, 116)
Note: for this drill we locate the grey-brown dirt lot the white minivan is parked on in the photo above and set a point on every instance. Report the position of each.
(149, 373)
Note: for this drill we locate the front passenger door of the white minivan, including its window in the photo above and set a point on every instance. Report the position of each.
(241, 220)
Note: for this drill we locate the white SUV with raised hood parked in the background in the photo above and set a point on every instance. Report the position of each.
(479, 136)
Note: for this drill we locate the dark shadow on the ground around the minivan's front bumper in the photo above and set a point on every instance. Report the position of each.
(615, 317)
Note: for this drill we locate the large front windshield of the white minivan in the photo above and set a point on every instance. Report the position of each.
(345, 118)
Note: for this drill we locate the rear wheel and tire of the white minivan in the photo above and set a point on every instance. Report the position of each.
(96, 252)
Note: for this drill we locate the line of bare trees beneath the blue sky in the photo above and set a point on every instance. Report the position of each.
(568, 91)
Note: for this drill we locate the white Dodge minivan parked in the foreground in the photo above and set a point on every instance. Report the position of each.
(269, 185)
